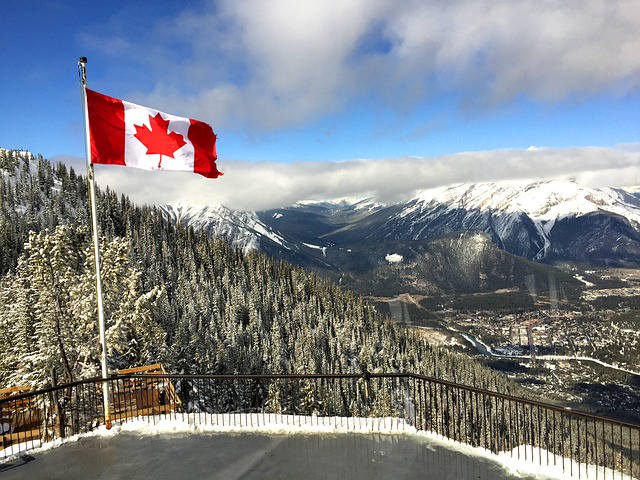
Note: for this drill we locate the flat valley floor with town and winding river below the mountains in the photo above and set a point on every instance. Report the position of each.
(582, 353)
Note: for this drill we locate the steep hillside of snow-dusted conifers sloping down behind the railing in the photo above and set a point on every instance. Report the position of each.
(174, 295)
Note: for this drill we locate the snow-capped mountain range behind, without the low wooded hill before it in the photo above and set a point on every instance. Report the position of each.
(551, 221)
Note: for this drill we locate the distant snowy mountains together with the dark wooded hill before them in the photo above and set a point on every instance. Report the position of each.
(458, 237)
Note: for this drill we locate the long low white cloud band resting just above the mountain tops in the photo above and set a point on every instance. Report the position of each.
(263, 185)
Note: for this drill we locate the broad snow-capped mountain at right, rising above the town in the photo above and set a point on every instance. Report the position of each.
(544, 221)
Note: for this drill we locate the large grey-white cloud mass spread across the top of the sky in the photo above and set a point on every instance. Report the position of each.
(268, 65)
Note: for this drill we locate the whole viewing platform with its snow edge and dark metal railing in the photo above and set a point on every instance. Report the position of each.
(432, 429)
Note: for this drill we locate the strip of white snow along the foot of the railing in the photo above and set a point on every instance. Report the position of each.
(522, 461)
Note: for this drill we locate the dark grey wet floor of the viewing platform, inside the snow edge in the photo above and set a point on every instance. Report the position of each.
(260, 456)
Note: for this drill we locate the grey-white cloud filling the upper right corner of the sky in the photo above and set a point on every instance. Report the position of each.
(498, 50)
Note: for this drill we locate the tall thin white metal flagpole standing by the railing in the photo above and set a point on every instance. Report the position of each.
(82, 71)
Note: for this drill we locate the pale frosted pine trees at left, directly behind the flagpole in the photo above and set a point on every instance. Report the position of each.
(49, 308)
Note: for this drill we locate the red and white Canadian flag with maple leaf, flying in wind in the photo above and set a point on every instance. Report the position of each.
(123, 133)
